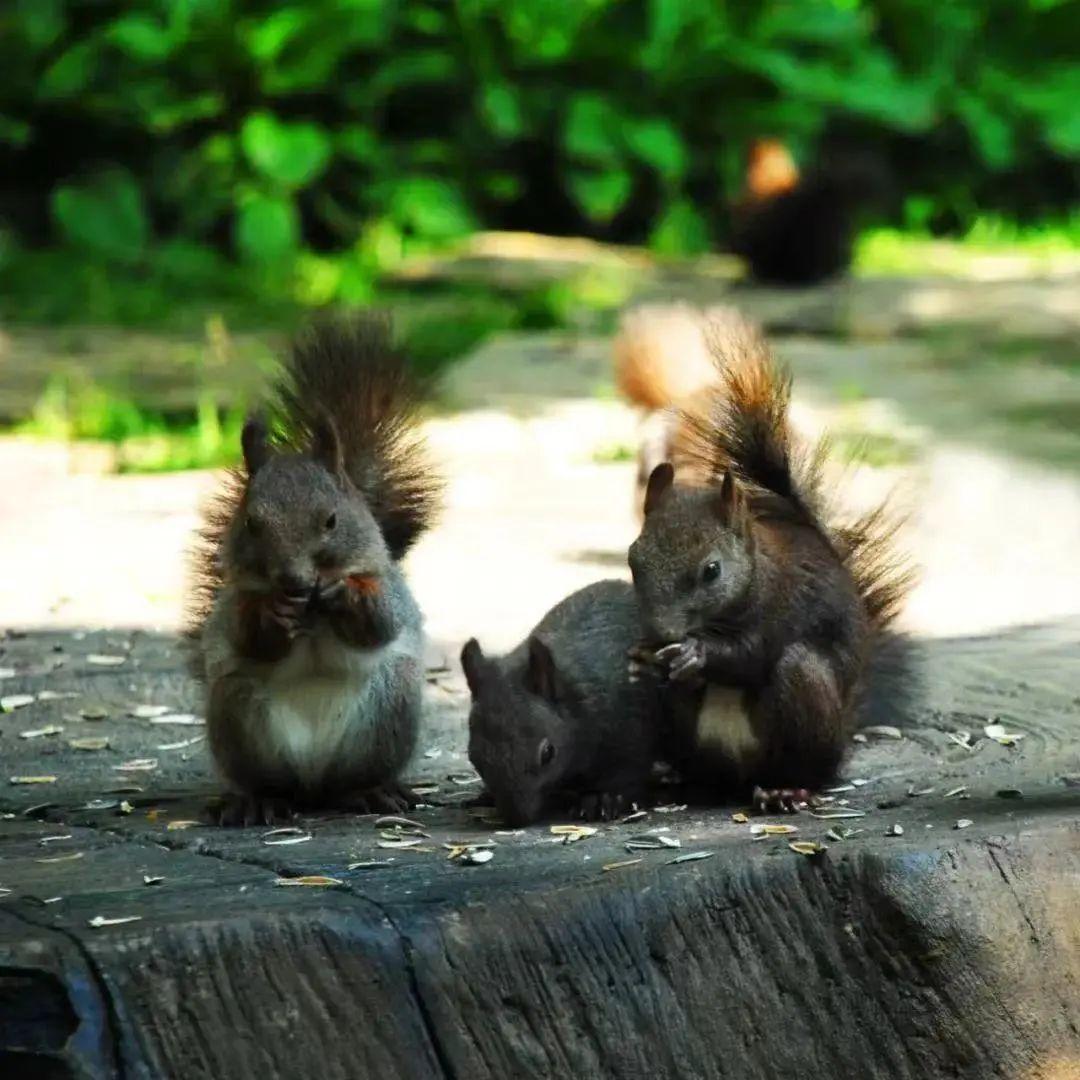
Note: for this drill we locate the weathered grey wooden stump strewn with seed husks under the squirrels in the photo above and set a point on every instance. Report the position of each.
(942, 952)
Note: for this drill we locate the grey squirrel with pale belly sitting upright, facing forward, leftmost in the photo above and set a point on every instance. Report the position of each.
(306, 634)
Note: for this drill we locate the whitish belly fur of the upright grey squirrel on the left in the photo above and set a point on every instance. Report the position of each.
(314, 700)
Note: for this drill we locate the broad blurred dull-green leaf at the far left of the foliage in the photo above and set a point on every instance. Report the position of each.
(105, 217)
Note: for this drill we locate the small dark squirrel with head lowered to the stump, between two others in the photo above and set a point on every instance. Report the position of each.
(558, 724)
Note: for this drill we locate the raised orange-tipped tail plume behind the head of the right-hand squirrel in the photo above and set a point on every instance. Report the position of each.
(741, 425)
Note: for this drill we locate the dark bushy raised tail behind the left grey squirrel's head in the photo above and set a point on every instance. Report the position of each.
(350, 372)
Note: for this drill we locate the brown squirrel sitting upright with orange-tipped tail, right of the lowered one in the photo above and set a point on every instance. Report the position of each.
(768, 625)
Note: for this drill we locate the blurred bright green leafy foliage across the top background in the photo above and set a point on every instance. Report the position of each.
(315, 143)
